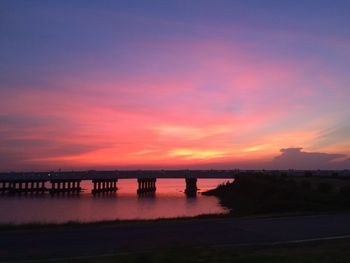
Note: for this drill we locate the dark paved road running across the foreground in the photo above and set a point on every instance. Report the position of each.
(95, 240)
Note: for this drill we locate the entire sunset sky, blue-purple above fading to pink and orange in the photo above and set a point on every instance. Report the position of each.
(174, 84)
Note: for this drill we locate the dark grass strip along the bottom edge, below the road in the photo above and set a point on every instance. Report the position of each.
(335, 251)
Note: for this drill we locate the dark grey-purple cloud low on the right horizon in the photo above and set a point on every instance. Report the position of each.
(295, 158)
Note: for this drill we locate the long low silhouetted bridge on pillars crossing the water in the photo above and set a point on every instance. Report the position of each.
(106, 181)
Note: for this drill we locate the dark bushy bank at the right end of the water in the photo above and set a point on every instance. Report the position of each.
(258, 194)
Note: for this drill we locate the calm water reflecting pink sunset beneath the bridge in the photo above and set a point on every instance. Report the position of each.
(168, 202)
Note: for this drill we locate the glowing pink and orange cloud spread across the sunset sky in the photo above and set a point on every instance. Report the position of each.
(217, 102)
